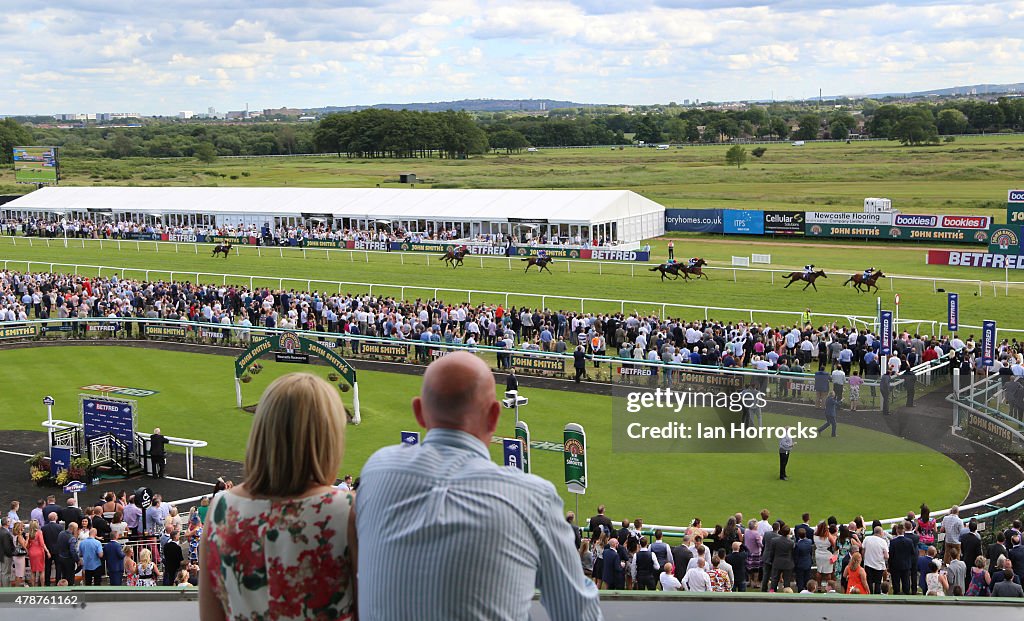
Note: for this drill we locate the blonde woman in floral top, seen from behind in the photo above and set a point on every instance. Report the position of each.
(282, 545)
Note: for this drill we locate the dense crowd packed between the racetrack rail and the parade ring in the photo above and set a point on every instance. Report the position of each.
(794, 348)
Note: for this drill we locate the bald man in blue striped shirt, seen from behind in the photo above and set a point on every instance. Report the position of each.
(441, 508)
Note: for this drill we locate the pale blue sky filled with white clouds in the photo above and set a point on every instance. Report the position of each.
(162, 58)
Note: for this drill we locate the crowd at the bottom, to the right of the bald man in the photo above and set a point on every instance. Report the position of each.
(825, 557)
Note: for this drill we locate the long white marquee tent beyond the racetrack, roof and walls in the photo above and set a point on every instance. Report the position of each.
(614, 215)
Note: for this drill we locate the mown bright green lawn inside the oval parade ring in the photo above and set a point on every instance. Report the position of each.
(197, 400)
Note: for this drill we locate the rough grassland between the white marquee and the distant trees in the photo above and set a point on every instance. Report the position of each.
(971, 176)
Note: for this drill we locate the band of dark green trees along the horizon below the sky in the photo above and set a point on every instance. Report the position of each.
(390, 134)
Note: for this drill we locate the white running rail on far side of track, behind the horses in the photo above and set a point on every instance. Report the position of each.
(482, 260)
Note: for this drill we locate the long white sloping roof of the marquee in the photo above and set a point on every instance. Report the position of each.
(579, 206)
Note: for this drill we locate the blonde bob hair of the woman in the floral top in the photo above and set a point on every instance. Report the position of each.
(297, 437)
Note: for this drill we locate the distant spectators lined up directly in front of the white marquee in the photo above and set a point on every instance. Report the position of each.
(272, 236)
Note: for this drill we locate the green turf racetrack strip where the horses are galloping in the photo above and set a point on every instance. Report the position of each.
(750, 292)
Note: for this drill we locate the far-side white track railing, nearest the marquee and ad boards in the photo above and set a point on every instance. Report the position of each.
(511, 263)
